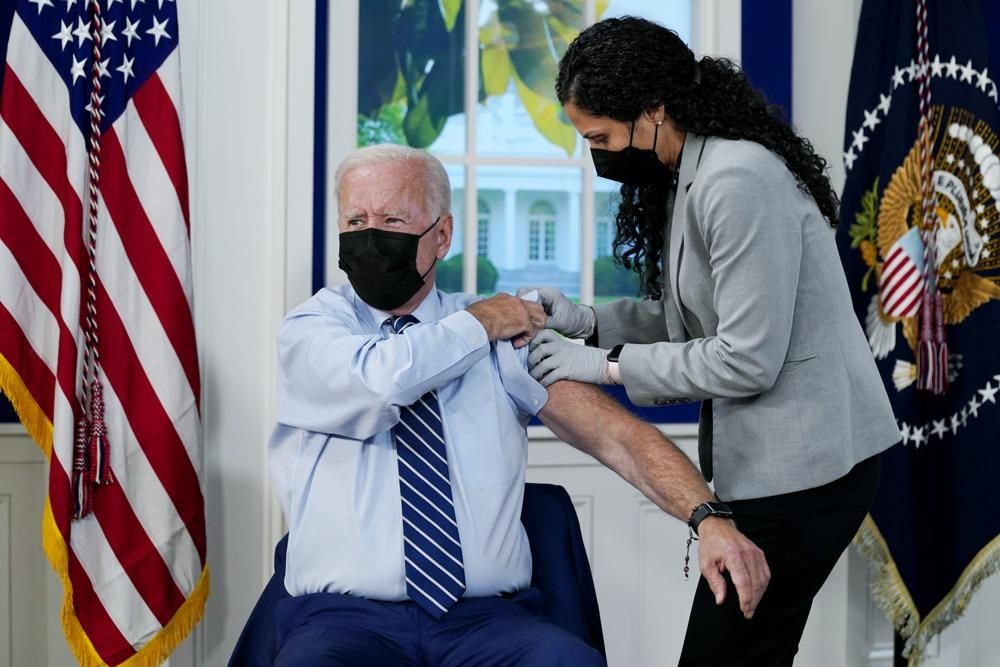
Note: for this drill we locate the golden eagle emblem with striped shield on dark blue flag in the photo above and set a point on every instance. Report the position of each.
(967, 208)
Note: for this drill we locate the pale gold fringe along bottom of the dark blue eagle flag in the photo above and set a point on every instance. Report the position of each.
(892, 596)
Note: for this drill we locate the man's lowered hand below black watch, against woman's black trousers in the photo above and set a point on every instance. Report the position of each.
(723, 548)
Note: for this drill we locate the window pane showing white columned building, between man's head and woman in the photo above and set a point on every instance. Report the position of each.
(533, 226)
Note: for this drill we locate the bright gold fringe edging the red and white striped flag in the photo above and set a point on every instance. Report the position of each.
(163, 643)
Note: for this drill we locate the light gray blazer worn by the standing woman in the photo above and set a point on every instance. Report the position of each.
(756, 321)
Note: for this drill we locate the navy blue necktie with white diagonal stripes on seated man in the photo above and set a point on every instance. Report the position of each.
(432, 549)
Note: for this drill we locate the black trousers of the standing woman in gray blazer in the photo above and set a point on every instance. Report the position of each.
(802, 535)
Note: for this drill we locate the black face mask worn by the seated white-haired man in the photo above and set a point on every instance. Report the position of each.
(382, 265)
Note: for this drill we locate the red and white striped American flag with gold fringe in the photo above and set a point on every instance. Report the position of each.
(133, 564)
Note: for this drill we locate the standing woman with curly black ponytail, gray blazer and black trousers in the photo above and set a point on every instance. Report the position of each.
(727, 216)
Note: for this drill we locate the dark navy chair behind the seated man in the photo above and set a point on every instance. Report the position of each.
(560, 571)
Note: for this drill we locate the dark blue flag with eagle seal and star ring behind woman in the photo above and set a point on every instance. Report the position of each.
(920, 242)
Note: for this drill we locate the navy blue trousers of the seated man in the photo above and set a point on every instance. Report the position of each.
(328, 629)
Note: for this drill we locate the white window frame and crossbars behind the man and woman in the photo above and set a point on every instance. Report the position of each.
(716, 26)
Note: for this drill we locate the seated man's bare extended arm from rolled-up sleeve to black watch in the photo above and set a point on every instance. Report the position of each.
(585, 417)
